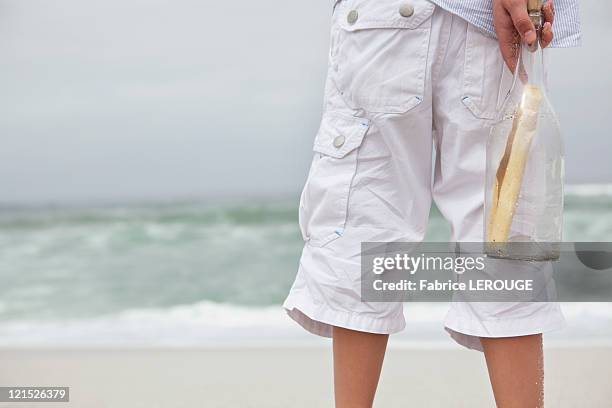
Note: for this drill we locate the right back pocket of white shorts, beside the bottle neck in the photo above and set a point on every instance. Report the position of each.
(482, 74)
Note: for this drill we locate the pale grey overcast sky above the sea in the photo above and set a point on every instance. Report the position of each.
(135, 99)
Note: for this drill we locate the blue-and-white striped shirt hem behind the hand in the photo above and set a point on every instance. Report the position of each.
(479, 13)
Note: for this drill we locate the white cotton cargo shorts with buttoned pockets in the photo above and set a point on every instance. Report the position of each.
(404, 78)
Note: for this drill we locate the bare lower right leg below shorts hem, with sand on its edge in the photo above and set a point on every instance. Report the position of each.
(516, 370)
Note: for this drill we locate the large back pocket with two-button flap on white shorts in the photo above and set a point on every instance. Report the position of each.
(379, 53)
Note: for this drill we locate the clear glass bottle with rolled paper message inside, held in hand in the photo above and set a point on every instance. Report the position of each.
(525, 164)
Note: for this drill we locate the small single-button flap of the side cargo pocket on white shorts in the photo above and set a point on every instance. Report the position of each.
(339, 135)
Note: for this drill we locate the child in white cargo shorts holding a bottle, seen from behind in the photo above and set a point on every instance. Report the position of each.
(403, 75)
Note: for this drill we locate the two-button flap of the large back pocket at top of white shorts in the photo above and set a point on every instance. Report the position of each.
(368, 14)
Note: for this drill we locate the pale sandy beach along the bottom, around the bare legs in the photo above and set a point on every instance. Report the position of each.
(286, 377)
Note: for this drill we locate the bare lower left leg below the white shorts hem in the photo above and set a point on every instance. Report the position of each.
(358, 359)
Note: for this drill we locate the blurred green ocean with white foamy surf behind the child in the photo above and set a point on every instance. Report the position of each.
(201, 274)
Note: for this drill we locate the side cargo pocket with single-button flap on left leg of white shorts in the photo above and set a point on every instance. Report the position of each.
(324, 201)
